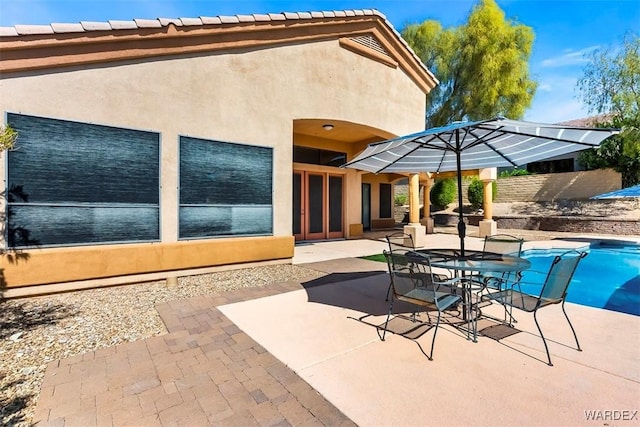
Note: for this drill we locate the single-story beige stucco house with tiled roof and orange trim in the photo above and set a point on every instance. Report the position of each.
(154, 148)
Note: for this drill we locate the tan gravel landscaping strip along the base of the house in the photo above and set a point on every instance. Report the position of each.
(35, 331)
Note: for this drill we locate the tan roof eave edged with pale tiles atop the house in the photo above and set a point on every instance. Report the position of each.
(25, 48)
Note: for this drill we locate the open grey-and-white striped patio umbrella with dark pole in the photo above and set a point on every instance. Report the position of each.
(459, 146)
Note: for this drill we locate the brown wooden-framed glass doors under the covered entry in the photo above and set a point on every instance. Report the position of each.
(318, 205)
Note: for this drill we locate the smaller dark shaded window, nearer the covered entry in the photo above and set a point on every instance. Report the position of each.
(225, 189)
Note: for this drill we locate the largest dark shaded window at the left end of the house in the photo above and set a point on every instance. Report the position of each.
(76, 183)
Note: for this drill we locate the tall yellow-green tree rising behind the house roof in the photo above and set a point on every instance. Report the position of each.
(482, 66)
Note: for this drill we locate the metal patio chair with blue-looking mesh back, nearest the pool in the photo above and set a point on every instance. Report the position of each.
(553, 291)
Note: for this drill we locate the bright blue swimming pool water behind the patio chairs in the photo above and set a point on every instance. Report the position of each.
(608, 277)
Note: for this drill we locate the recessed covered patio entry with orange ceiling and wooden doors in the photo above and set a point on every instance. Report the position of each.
(326, 200)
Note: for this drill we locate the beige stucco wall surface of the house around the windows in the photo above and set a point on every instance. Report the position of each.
(249, 97)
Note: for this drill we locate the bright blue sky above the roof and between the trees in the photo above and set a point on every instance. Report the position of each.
(564, 29)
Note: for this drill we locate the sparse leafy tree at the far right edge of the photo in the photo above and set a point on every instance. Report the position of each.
(610, 87)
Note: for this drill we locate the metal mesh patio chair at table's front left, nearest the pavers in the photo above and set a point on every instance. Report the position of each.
(413, 281)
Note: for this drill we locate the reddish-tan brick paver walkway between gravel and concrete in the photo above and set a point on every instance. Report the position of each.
(205, 371)
